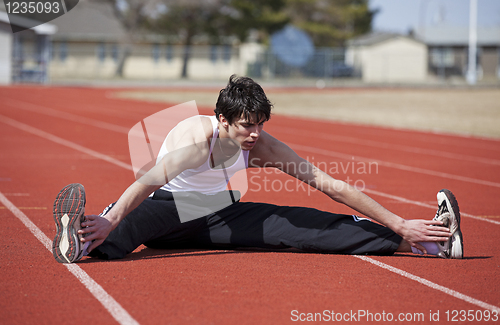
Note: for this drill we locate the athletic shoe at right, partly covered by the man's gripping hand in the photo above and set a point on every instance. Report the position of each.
(449, 213)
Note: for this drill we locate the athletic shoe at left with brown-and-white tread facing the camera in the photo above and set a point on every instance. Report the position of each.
(69, 208)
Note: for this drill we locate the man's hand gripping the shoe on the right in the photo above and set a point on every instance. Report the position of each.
(415, 231)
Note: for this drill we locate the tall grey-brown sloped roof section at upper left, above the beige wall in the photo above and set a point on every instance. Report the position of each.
(89, 21)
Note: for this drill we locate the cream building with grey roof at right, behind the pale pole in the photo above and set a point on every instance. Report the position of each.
(437, 53)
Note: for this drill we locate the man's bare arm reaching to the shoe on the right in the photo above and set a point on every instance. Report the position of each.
(273, 153)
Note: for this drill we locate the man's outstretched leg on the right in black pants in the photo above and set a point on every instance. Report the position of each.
(269, 226)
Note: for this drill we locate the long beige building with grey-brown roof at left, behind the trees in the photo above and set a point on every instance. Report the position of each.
(90, 42)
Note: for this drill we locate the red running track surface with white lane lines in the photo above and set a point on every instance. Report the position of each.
(50, 137)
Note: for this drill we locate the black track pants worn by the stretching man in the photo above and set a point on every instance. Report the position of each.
(155, 223)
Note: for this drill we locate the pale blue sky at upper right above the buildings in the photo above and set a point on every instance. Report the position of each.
(403, 15)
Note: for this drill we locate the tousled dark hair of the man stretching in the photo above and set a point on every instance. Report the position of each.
(245, 98)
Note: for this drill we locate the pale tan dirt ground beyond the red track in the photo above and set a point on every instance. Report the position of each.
(464, 111)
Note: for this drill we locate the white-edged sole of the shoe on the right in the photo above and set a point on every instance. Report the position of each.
(457, 246)
